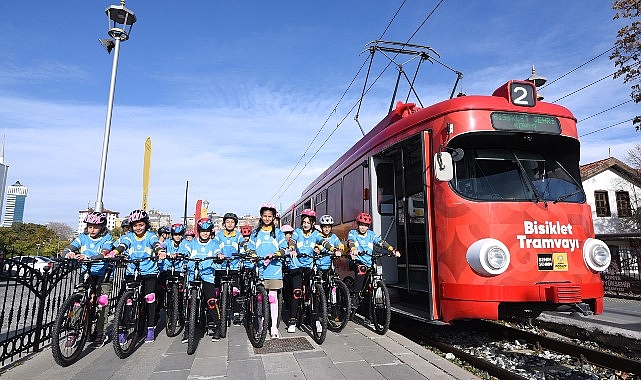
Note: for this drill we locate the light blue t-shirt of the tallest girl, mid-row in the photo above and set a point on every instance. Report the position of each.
(264, 244)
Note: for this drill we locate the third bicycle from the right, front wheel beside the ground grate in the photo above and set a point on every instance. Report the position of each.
(312, 311)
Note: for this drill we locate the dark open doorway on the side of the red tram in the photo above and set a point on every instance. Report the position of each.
(399, 200)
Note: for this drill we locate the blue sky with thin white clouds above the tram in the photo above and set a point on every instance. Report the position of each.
(232, 93)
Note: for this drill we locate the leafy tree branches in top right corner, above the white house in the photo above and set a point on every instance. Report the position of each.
(627, 49)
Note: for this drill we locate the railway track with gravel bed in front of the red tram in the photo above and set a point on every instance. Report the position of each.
(506, 352)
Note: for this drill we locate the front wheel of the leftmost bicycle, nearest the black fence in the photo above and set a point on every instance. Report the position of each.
(70, 331)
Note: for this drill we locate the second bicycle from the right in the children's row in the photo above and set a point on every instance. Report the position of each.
(338, 299)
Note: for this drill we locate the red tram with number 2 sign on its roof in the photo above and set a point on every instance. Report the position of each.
(483, 196)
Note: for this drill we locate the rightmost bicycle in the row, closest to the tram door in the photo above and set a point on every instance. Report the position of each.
(375, 292)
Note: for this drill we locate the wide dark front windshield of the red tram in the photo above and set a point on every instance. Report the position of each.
(499, 174)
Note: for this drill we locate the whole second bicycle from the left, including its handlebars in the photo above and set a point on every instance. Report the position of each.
(130, 311)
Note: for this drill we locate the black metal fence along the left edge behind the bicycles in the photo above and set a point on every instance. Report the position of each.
(30, 297)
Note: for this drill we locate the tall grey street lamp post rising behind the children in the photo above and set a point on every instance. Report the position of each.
(121, 21)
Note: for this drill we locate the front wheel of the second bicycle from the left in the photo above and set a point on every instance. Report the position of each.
(126, 321)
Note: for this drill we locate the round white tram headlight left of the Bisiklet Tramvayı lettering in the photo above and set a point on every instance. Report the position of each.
(488, 257)
